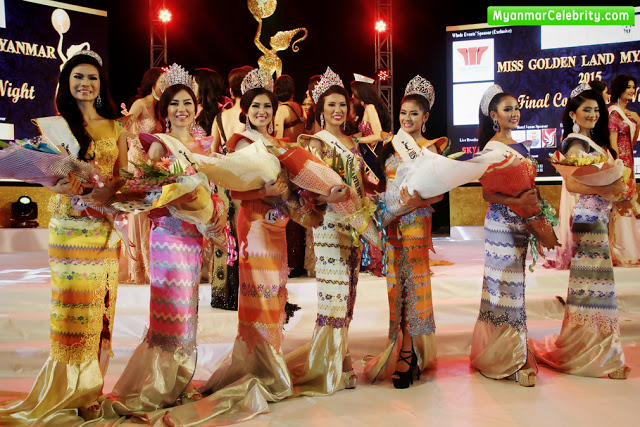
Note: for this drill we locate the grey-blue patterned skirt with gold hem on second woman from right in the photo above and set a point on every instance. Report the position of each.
(498, 343)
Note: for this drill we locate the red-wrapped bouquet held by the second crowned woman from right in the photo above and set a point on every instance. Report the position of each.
(513, 176)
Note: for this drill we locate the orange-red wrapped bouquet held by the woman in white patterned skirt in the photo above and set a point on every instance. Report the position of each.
(312, 174)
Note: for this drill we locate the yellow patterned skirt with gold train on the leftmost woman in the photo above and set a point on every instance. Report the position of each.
(84, 280)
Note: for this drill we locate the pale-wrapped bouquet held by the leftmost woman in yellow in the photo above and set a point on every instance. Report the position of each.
(38, 161)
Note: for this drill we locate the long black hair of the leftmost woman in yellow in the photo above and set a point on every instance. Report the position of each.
(67, 105)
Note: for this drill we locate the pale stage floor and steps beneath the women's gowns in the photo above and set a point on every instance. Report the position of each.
(451, 394)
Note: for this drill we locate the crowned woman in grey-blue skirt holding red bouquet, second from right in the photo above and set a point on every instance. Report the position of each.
(499, 341)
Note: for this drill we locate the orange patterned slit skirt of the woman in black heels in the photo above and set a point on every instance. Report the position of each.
(409, 292)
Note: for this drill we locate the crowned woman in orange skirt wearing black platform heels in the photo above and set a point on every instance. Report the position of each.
(409, 277)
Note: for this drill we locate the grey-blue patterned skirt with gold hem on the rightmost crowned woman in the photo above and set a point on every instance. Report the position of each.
(589, 341)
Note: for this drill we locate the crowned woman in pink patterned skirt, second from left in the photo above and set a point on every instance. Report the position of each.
(160, 369)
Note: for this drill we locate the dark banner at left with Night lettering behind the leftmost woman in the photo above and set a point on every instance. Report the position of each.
(36, 38)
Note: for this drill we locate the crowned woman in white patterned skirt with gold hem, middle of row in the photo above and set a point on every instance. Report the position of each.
(324, 366)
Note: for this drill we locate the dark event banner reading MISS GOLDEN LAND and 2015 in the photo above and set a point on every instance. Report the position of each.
(540, 66)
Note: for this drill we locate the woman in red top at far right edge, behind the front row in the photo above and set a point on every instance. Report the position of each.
(624, 126)
